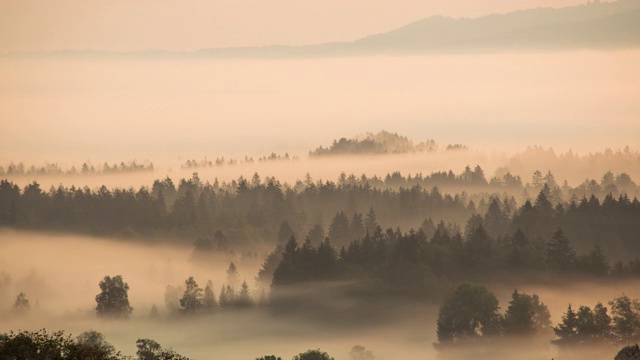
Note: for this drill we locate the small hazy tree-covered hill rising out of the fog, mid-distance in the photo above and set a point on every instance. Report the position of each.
(383, 142)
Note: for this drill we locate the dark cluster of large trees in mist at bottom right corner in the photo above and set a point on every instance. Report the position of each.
(472, 312)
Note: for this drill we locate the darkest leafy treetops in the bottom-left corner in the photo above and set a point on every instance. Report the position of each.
(42, 345)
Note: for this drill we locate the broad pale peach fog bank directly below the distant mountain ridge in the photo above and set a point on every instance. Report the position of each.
(62, 108)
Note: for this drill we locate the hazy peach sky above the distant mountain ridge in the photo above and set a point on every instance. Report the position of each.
(125, 25)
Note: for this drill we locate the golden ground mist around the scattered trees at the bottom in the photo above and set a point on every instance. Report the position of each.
(60, 276)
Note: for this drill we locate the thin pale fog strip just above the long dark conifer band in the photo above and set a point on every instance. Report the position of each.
(575, 169)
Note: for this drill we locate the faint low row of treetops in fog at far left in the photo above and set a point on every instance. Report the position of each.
(21, 169)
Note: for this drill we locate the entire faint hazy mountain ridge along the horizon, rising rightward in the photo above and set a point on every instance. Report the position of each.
(598, 26)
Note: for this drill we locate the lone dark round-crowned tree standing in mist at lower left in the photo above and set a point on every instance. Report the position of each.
(113, 300)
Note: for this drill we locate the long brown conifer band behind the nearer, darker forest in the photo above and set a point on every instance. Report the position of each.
(250, 211)
